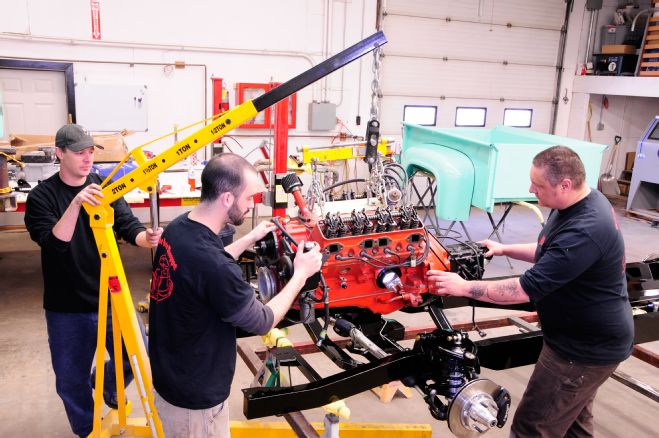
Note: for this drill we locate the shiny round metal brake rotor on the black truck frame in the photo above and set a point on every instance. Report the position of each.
(473, 411)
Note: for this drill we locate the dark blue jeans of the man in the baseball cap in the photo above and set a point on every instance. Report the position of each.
(72, 341)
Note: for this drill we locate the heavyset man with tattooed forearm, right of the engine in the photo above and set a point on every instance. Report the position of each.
(579, 288)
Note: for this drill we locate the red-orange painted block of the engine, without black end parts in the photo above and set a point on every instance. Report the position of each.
(355, 265)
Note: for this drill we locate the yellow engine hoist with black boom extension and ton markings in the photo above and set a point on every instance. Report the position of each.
(113, 278)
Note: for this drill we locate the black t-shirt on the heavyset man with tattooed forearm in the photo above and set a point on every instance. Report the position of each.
(578, 283)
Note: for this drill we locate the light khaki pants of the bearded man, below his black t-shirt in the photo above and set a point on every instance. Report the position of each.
(193, 423)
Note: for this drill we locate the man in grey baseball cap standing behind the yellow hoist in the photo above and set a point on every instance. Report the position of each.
(71, 269)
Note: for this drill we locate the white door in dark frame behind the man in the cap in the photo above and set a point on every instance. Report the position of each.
(34, 101)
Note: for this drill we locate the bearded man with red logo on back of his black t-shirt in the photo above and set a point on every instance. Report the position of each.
(199, 297)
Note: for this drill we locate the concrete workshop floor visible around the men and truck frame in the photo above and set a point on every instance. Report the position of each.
(29, 406)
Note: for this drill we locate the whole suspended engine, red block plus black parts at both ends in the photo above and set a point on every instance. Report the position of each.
(375, 256)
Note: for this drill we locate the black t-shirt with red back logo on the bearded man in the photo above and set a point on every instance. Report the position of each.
(198, 298)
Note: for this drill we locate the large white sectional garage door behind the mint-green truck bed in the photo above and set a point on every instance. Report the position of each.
(492, 54)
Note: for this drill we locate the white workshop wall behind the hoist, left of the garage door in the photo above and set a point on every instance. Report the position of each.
(248, 41)
